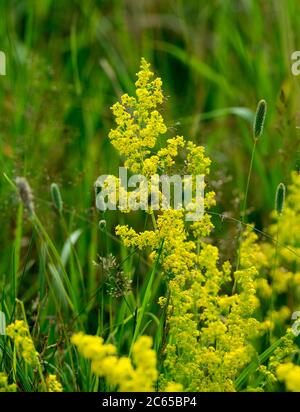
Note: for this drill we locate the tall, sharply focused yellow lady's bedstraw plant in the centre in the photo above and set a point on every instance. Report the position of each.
(209, 332)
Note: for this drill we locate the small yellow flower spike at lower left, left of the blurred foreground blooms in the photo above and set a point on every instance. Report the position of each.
(18, 331)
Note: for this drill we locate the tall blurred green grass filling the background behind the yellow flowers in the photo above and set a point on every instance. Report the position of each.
(67, 62)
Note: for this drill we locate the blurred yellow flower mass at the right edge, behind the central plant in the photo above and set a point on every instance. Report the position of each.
(277, 266)
